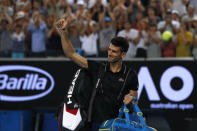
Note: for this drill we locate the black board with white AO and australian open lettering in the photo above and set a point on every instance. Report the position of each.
(168, 85)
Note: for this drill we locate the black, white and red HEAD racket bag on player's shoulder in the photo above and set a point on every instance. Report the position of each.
(74, 109)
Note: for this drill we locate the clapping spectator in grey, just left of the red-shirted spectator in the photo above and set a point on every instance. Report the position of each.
(154, 38)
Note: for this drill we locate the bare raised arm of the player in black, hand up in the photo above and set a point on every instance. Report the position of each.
(61, 27)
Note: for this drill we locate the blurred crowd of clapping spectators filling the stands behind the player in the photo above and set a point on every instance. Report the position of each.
(27, 27)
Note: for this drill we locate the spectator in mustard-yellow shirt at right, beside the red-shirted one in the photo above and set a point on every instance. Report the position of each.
(184, 41)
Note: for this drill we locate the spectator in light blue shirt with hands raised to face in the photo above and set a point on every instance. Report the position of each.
(38, 30)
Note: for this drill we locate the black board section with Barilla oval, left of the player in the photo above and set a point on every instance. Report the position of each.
(34, 84)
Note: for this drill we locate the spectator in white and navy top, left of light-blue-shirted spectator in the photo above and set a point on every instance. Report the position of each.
(18, 44)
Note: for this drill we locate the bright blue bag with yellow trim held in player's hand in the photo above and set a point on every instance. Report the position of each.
(130, 123)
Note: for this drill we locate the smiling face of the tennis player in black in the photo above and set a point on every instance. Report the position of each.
(115, 54)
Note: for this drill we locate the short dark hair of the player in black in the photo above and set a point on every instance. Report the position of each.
(121, 42)
